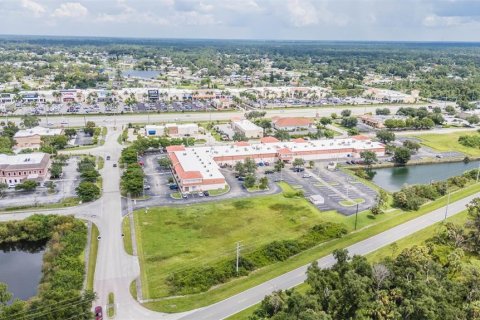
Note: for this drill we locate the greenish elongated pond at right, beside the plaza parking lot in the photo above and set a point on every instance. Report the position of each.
(392, 179)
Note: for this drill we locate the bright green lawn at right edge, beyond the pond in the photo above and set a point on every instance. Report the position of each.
(448, 142)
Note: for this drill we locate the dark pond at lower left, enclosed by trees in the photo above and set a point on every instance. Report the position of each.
(21, 267)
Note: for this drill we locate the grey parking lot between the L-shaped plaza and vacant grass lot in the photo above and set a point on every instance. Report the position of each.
(340, 191)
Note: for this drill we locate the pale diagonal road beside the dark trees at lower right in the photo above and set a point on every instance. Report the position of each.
(239, 302)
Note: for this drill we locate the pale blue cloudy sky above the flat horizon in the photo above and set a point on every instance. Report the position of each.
(381, 20)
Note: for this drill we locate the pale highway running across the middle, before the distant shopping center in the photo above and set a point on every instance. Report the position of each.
(118, 120)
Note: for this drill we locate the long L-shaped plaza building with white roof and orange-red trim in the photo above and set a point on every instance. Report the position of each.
(198, 168)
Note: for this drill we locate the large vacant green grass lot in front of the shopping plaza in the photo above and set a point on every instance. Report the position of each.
(175, 238)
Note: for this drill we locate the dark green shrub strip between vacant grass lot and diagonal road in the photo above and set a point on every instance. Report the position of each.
(200, 279)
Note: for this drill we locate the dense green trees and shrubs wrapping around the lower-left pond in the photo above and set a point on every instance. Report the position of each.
(60, 294)
